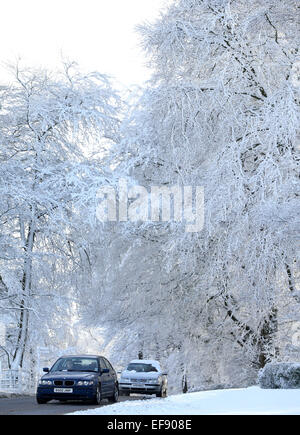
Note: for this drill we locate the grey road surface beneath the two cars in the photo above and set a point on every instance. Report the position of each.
(28, 406)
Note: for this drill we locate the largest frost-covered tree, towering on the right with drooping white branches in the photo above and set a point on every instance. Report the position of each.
(221, 111)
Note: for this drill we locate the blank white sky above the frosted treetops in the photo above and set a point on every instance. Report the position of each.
(98, 34)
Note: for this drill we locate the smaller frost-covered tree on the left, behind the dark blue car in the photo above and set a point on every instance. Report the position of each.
(55, 131)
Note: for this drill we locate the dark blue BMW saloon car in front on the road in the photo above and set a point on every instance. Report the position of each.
(83, 377)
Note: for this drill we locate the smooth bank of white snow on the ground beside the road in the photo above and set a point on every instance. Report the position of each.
(251, 400)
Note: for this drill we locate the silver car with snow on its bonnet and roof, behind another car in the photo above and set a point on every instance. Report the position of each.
(143, 377)
